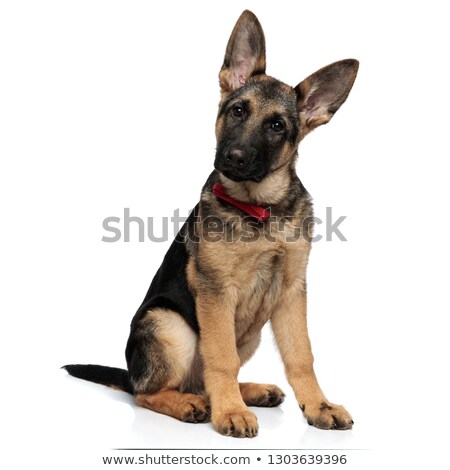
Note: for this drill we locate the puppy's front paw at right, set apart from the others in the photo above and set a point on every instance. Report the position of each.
(325, 415)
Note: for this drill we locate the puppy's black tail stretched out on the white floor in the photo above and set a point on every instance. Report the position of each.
(109, 376)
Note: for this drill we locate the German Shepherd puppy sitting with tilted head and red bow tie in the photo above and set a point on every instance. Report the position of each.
(240, 259)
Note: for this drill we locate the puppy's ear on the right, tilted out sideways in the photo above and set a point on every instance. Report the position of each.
(321, 94)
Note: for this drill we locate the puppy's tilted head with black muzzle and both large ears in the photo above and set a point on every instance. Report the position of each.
(262, 120)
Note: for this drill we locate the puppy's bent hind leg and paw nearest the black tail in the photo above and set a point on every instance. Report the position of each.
(165, 367)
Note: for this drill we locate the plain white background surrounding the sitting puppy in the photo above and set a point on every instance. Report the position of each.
(106, 105)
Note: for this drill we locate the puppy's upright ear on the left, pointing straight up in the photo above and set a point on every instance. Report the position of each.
(245, 55)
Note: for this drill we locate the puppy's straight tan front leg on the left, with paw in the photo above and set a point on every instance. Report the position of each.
(230, 416)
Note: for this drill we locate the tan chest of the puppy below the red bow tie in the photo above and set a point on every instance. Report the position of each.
(253, 265)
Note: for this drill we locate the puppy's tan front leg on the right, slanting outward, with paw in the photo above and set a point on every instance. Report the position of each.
(291, 333)
